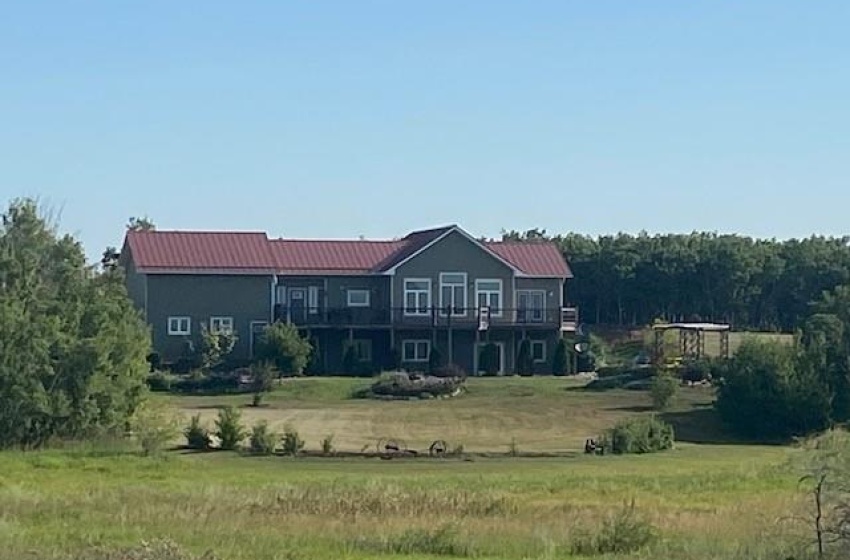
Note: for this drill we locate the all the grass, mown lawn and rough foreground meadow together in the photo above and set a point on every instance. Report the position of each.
(721, 500)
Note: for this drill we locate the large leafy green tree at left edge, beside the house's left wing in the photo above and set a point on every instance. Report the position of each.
(72, 347)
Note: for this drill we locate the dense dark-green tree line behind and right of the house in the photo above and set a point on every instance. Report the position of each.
(762, 284)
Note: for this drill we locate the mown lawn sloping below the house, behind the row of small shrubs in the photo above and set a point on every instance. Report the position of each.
(541, 414)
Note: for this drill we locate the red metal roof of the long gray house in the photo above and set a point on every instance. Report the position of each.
(254, 253)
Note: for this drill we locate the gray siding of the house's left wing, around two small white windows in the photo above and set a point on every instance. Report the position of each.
(245, 298)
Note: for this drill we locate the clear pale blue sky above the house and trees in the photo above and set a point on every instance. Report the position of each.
(339, 119)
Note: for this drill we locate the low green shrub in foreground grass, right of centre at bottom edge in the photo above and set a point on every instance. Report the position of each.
(625, 532)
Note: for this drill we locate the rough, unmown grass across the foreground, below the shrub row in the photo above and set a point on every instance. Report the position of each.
(708, 501)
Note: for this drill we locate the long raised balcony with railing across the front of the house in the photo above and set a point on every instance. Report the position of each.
(564, 318)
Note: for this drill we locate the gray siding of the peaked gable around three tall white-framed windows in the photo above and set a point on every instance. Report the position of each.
(454, 253)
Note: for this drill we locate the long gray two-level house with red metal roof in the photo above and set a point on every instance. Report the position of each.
(389, 300)
